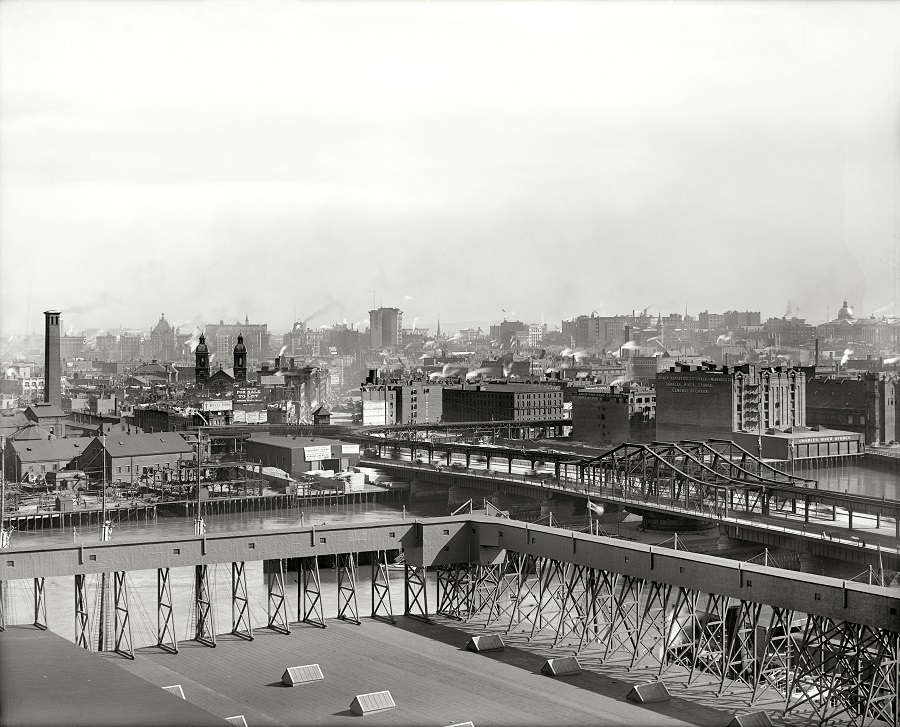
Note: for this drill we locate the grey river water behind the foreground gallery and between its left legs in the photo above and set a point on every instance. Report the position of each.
(422, 502)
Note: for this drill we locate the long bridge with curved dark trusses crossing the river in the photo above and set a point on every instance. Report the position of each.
(715, 481)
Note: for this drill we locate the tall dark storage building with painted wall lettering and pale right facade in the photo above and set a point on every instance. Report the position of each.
(708, 401)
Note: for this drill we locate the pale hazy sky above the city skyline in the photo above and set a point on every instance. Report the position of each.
(471, 161)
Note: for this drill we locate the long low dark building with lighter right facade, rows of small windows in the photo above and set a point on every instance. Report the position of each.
(501, 402)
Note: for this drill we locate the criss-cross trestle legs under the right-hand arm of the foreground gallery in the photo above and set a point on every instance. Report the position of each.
(835, 668)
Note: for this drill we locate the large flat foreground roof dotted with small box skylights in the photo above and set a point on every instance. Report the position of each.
(431, 676)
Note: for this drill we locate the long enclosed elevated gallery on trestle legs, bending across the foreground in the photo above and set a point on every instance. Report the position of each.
(817, 644)
